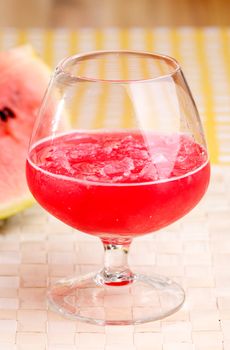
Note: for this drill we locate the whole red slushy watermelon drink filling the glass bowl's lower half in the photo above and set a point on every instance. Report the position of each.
(117, 185)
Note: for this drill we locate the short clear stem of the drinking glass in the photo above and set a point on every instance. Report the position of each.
(116, 271)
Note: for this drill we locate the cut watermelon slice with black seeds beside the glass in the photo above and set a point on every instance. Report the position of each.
(23, 80)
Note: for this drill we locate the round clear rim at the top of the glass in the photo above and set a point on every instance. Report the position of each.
(86, 56)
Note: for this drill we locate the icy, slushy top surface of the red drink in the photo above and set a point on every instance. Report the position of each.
(120, 158)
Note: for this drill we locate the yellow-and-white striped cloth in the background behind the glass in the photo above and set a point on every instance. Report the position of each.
(204, 55)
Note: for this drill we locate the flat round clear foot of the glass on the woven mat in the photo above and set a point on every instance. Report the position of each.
(146, 299)
